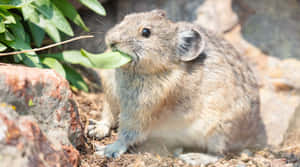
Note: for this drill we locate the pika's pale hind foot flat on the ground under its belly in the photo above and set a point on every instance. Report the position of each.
(198, 158)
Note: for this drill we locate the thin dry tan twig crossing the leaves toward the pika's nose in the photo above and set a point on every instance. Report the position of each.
(48, 46)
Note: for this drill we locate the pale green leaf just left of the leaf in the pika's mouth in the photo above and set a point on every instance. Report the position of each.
(72, 56)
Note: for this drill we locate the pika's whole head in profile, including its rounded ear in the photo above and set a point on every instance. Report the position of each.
(155, 43)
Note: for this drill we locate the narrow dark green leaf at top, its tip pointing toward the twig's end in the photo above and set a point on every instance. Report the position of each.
(70, 12)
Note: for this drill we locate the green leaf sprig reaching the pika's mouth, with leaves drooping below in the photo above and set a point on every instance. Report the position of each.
(106, 60)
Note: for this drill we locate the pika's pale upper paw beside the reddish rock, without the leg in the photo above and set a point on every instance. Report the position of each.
(98, 129)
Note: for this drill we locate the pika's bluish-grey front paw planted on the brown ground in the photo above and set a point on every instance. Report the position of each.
(115, 150)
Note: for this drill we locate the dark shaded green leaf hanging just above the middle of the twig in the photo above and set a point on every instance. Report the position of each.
(37, 33)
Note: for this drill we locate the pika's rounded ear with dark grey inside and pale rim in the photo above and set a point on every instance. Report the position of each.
(190, 44)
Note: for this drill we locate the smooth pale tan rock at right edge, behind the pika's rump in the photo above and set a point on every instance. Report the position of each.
(277, 109)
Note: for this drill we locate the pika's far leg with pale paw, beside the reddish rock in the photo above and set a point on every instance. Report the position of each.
(102, 128)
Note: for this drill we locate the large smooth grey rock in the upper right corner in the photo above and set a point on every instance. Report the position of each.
(271, 25)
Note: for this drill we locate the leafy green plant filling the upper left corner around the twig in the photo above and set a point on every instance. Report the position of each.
(24, 24)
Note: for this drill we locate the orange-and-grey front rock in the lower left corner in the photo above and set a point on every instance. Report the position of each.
(23, 144)
